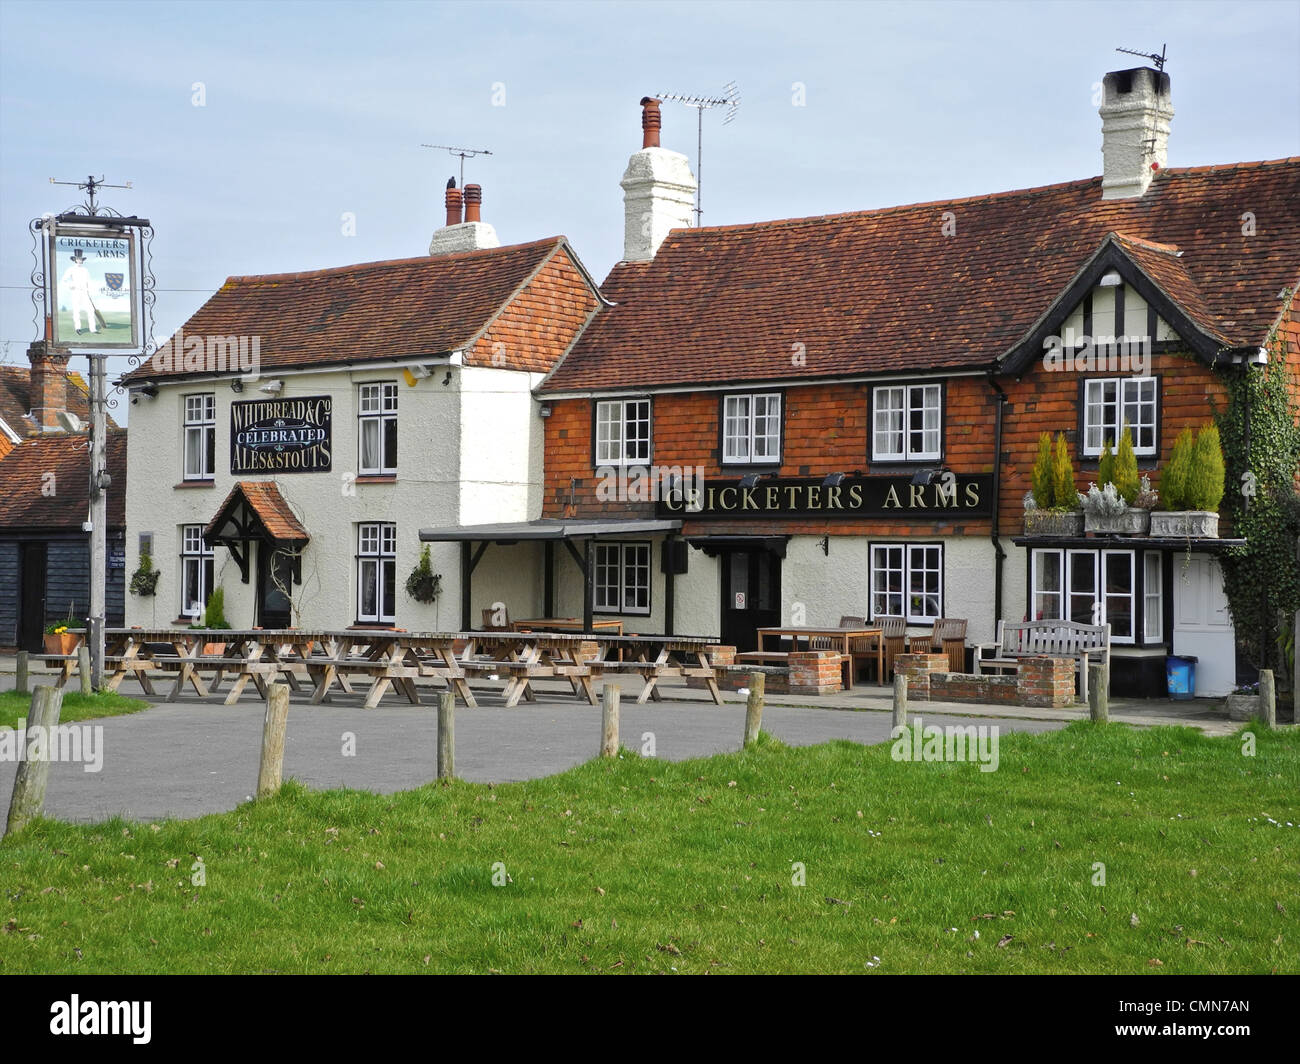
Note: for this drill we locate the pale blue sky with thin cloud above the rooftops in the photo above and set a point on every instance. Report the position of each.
(253, 132)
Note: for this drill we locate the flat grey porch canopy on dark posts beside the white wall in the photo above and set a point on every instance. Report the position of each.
(549, 531)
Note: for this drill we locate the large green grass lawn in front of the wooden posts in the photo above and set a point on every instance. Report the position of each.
(642, 866)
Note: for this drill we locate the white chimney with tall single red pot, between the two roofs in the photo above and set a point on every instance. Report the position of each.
(658, 192)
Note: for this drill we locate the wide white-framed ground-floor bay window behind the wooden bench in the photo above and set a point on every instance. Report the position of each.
(1098, 587)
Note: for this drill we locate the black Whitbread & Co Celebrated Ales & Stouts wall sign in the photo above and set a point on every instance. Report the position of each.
(281, 436)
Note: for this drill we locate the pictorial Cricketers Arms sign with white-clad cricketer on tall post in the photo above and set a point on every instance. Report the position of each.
(93, 287)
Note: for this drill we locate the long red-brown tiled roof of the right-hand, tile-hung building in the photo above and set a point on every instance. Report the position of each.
(887, 291)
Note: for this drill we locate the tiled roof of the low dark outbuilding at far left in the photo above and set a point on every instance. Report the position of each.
(33, 501)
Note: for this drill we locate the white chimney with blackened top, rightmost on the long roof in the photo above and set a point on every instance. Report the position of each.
(1136, 114)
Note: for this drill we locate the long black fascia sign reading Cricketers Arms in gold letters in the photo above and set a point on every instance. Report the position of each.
(948, 498)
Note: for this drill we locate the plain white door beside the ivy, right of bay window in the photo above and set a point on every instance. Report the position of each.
(1203, 628)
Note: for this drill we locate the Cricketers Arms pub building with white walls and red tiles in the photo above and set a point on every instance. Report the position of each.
(779, 423)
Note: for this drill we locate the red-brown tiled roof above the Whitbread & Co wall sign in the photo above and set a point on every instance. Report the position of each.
(426, 306)
